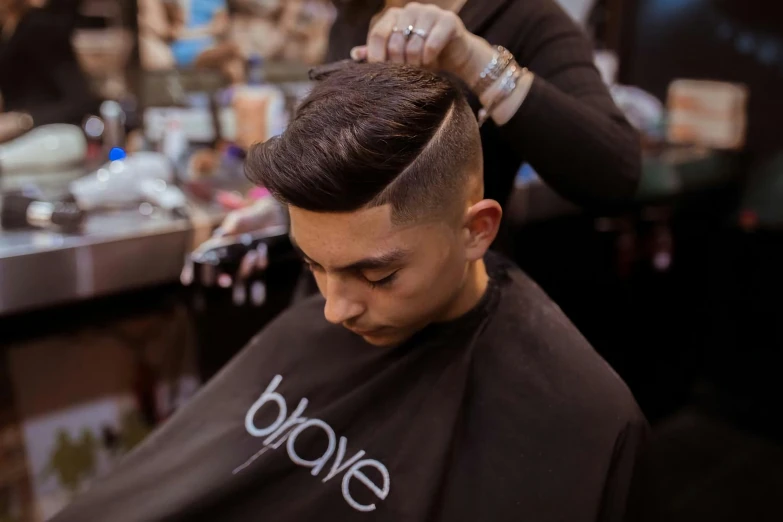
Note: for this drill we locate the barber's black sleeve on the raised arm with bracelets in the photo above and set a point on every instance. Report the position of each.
(568, 128)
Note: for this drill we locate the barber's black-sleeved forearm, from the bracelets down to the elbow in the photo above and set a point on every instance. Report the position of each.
(586, 155)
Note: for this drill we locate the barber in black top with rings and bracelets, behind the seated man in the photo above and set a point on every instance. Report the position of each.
(560, 118)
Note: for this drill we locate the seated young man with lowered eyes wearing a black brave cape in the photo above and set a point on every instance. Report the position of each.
(431, 381)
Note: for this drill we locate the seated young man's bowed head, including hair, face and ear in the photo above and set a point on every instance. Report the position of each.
(382, 172)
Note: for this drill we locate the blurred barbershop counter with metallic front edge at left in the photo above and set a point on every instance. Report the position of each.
(116, 252)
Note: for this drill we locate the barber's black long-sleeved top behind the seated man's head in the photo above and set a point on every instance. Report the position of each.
(568, 129)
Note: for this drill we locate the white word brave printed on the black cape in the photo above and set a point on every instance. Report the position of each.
(286, 430)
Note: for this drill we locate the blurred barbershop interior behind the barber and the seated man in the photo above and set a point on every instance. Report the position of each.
(123, 125)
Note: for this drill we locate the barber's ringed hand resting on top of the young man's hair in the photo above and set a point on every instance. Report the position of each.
(439, 41)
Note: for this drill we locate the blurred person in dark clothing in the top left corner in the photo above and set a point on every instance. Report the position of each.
(40, 78)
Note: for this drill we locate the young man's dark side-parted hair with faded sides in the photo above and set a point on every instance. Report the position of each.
(369, 135)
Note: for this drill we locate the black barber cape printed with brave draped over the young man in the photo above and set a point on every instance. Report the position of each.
(505, 414)
